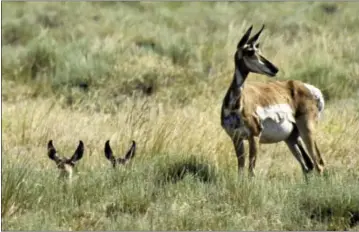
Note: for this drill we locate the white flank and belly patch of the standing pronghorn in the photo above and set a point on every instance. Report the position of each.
(277, 122)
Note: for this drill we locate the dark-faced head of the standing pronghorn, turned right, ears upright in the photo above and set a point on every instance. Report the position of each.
(249, 57)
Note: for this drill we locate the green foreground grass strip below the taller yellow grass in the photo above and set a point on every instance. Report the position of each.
(142, 198)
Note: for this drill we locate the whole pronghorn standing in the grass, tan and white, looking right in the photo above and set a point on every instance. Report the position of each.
(276, 111)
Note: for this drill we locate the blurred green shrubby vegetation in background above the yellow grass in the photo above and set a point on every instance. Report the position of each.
(95, 52)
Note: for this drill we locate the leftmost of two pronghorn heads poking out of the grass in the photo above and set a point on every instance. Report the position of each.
(66, 165)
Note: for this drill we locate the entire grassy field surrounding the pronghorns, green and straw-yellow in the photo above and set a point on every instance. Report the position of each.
(157, 73)
